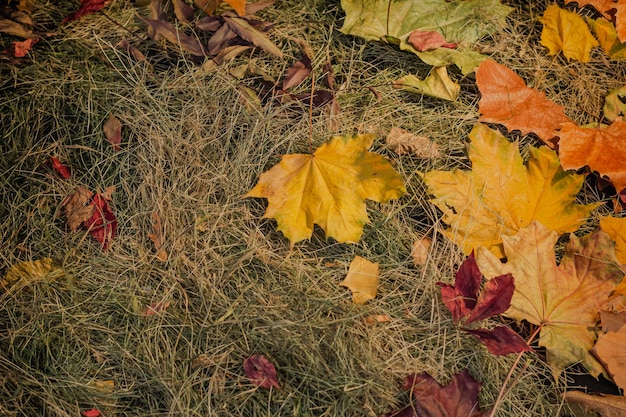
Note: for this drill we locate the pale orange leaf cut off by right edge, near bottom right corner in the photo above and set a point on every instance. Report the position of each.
(609, 348)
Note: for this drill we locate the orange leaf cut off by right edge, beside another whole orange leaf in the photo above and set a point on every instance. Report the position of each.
(600, 148)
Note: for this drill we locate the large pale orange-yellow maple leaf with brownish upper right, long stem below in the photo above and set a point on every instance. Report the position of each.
(564, 301)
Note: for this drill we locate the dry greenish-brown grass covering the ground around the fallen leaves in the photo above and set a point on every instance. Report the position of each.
(193, 145)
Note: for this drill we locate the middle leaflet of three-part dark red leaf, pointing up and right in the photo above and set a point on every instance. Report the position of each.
(494, 299)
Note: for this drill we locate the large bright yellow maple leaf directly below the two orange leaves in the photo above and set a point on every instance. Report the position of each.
(501, 194)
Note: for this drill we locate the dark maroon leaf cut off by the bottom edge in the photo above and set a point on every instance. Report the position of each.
(430, 399)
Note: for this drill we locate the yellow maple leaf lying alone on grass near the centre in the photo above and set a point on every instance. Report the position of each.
(328, 188)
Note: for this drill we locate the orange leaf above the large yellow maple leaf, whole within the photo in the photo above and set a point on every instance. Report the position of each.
(505, 99)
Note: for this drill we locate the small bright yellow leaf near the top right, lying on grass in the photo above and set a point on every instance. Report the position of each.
(566, 31)
